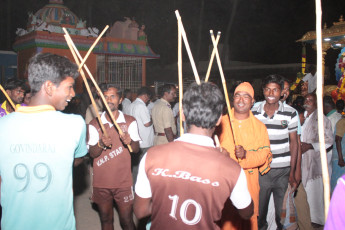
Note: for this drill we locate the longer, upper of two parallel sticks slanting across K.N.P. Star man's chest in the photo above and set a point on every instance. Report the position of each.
(98, 89)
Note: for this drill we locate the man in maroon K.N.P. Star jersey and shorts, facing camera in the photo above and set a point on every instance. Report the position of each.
(112, 178)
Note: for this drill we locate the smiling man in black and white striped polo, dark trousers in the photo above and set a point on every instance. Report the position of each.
(281, 123)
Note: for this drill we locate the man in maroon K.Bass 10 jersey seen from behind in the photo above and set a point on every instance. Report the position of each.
(184, 184)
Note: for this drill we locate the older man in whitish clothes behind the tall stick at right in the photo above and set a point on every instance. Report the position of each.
(311, 160)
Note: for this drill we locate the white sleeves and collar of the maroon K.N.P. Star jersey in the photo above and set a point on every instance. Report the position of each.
(132, 129)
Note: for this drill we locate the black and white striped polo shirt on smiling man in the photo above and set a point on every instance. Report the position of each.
(279, 126)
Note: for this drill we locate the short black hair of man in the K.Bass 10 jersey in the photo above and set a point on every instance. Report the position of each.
(202, 105)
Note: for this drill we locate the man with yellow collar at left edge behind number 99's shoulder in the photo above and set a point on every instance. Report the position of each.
(15, 89)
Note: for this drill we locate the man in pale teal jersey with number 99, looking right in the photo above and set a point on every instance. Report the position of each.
(36, 162)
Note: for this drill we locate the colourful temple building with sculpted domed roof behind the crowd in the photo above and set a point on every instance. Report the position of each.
(119, 58)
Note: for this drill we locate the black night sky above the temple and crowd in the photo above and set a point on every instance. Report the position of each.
(262, 31)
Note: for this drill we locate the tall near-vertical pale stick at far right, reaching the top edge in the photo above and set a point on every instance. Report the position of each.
(319, 94)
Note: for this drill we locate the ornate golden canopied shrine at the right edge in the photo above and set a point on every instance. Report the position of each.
(333, 37)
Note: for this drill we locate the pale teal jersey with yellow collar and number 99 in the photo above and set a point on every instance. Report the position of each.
(37, 151)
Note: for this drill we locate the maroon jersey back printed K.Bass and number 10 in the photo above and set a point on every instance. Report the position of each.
(185, 196)
